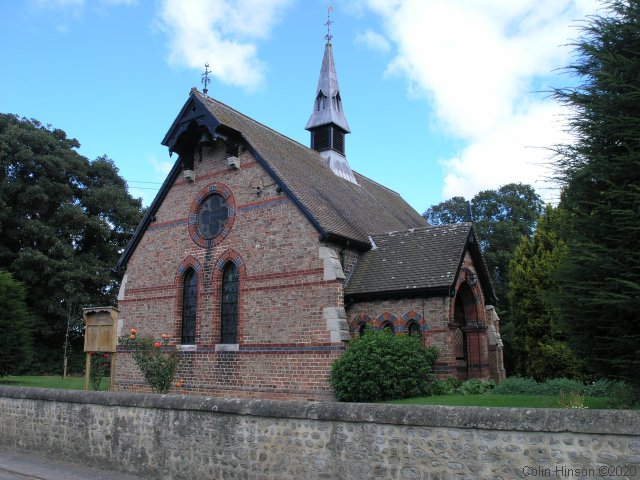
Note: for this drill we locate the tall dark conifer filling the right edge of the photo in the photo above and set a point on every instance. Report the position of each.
(600, 174)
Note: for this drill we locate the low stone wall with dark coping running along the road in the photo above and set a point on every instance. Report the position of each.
(187, 437)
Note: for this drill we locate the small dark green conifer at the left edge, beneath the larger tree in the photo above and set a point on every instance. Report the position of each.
(16, 325)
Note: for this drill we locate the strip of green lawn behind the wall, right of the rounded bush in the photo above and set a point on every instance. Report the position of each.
(489, 400)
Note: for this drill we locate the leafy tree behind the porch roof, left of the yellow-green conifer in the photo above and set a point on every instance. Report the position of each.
(501, 218)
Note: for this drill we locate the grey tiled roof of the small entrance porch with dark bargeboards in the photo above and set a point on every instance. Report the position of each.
(417, 261)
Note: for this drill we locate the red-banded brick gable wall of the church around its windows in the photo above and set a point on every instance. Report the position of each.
(284, 347)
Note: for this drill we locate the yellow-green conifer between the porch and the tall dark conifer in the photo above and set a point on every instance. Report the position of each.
(539, 342)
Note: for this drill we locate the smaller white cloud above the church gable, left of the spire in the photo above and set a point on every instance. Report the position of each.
(221, 32)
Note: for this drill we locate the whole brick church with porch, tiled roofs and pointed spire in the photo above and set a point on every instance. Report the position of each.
(261, 258)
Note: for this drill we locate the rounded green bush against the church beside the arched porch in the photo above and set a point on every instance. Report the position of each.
(382, 366)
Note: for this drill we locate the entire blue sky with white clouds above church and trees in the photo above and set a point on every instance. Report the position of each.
(443, 97)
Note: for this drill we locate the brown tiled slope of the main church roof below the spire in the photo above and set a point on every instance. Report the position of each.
(340, 207)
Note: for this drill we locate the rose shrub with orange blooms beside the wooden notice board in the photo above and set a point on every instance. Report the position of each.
(157, 365)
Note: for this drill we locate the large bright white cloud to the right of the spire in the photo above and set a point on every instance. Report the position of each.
(478, 63)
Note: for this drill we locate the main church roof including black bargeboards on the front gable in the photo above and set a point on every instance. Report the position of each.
(339, 209)
